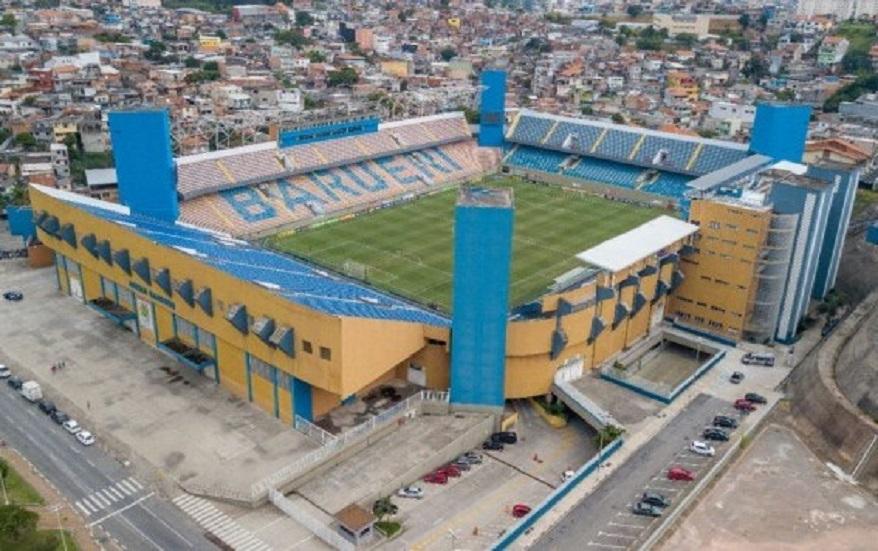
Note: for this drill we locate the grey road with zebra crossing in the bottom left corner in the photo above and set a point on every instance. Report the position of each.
(101, 490)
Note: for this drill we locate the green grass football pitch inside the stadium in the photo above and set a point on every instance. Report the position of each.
(408, 249)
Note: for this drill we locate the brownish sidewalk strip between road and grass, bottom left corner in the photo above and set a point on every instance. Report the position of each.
(70, 520)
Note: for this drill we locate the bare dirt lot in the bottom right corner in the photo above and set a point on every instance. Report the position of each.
(779, 496)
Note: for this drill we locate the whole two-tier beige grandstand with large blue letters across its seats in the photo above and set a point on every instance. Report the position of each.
(258, 189)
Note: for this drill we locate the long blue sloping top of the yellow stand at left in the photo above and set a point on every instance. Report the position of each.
(294, 280)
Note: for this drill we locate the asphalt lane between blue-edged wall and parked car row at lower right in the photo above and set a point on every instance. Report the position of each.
(590, 517)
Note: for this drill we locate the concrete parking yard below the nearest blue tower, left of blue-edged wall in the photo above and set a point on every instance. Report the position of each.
(471, 512)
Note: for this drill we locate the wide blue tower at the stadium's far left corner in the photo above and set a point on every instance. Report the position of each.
(144, 162)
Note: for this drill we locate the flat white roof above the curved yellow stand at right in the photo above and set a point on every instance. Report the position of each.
(632, 246)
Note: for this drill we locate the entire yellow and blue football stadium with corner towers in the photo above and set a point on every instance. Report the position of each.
(304, 272)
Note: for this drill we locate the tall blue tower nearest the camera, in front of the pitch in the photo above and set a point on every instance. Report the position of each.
(483, 223)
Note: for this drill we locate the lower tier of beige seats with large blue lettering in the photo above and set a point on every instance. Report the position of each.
(347, 188)
